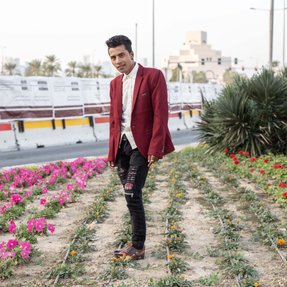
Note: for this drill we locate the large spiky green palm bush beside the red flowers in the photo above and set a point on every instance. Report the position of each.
(249, 115)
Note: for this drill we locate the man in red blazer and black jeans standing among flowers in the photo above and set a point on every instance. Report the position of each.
(139, 134)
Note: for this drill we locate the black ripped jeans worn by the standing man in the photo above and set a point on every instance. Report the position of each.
(132, 170)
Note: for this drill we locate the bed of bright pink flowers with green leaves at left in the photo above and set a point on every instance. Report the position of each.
(20, 188)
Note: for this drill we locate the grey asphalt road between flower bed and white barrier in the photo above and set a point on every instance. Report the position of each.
(100, 148)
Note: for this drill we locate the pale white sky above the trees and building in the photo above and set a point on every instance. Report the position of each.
(32, 29)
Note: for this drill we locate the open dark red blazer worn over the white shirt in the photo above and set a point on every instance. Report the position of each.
(149, 120)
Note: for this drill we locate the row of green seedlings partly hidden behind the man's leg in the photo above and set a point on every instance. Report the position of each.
(116, 269)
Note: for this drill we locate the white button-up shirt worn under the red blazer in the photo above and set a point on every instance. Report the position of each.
(127, 101)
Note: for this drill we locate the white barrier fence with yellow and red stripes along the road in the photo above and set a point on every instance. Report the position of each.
(39, 111)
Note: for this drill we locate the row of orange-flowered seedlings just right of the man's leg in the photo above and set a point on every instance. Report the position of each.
(174, 244)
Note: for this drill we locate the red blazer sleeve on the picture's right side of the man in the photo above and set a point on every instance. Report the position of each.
(160, 116)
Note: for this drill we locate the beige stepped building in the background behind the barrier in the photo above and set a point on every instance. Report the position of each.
(196, 55)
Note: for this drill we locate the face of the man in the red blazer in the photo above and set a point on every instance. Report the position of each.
(121, 59)
